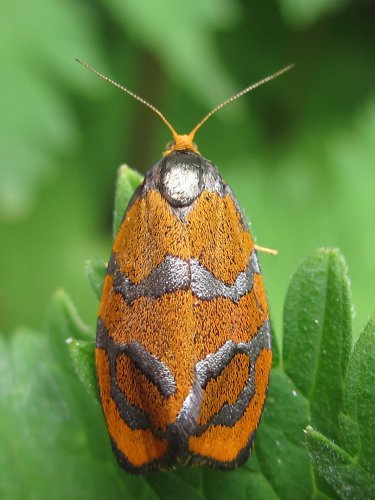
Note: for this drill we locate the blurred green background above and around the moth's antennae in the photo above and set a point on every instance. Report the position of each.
(299, 153)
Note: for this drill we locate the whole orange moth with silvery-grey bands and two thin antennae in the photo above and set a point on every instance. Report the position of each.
(183, 345)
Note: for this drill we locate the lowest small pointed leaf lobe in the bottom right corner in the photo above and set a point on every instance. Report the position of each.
(340, 470)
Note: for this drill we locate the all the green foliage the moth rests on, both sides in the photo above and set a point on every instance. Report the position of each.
(316, 438)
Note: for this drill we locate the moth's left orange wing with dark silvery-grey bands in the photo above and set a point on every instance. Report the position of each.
(145, 350)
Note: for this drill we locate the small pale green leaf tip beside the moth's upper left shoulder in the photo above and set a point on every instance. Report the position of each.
(127, 182)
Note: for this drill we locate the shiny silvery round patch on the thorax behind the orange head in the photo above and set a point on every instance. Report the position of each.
(181, 178)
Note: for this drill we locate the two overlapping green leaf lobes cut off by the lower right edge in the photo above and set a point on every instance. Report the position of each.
(348, 464)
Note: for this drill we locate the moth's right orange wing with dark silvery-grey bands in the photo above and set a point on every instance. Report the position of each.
(232, 340)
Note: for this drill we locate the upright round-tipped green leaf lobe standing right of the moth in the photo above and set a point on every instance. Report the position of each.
(317, 335)
